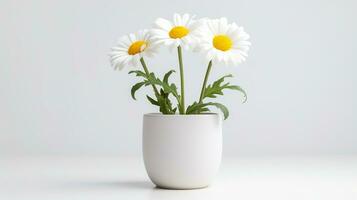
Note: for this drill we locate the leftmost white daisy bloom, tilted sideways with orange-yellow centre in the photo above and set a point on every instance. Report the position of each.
(131, 48)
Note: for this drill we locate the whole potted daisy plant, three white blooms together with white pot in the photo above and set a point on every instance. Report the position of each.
(183, 150)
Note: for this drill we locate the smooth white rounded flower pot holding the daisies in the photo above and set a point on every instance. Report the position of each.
(182, 151)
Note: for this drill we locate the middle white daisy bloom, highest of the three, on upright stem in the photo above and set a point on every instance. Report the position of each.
(181, 32)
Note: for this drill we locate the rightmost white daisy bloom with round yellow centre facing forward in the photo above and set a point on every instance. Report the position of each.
(223, 42)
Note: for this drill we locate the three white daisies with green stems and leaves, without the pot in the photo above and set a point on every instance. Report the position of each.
(218, 40)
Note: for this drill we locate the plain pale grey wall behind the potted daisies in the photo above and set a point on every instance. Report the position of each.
(59, 95)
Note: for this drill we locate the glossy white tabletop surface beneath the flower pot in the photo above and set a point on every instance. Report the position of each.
(277, 178)
